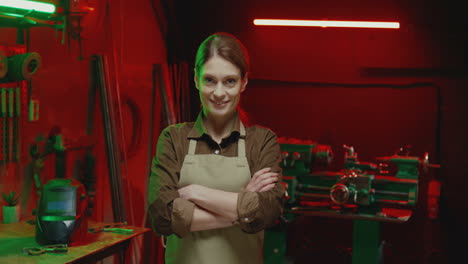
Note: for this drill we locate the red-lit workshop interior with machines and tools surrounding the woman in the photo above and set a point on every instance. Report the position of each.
(368, 100)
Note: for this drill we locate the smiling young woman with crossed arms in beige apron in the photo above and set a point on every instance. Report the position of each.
(216, 182)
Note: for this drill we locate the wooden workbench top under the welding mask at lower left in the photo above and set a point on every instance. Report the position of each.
(97, 246)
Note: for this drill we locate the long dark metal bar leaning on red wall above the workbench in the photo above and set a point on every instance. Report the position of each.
(113, 160)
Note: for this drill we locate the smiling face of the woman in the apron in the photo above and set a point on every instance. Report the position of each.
(220, 85)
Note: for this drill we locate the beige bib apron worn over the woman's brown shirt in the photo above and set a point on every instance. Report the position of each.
(228, 245)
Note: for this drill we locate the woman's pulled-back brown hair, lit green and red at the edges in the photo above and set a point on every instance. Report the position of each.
(230, 48)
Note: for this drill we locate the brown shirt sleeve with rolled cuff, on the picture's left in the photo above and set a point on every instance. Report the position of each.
(169, 213)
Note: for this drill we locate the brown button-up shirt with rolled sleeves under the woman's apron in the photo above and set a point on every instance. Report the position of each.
(171, 214)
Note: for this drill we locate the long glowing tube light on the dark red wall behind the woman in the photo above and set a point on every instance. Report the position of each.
(325, 23)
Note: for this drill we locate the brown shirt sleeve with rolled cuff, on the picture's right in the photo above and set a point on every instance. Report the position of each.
(260, 210)
